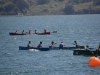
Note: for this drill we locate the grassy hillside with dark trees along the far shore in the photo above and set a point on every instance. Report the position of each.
(49, 7)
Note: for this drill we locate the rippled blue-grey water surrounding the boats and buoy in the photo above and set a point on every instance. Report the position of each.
(85, 29)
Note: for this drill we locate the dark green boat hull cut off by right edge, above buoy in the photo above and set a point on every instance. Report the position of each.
(86, 52)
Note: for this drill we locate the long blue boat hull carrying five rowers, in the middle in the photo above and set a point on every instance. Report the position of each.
(47, 48)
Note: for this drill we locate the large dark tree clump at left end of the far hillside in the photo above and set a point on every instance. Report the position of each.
(12, 7)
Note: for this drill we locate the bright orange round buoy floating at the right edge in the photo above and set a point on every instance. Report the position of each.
(94, 62)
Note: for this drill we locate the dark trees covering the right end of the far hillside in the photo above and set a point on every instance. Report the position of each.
(69, 8)
